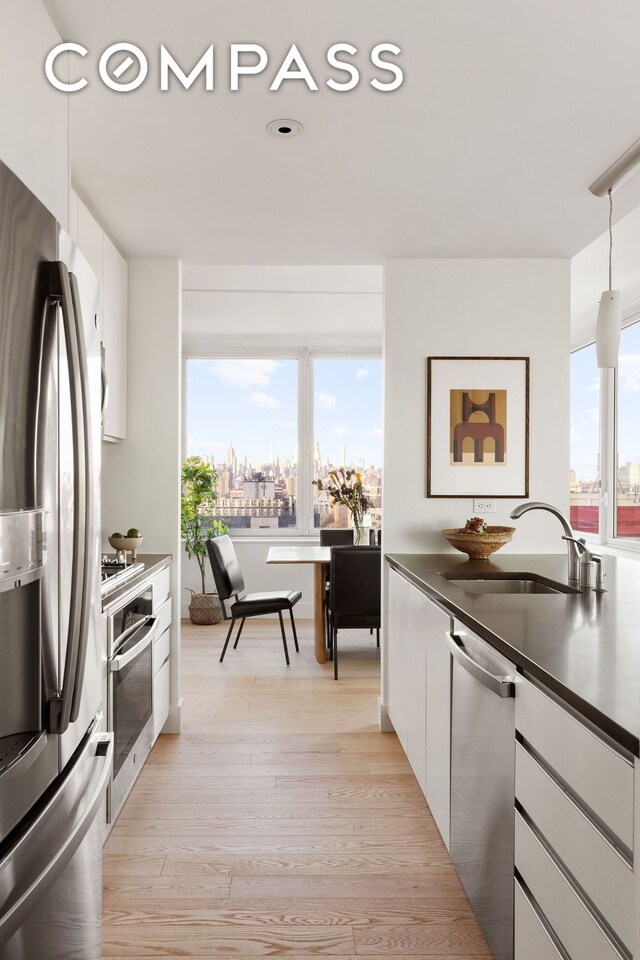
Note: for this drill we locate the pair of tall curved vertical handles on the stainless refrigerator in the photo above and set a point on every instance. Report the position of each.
(60, 293)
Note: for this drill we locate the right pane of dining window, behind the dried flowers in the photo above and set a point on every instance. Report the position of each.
(347, 430)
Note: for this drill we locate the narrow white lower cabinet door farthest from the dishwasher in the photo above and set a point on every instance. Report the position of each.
(398, 646)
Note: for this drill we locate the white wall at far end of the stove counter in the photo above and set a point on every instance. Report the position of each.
(141, 475)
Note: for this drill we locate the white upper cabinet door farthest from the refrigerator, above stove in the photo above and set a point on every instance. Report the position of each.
(114, 338)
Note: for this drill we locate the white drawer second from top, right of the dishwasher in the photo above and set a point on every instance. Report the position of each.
(601, 872)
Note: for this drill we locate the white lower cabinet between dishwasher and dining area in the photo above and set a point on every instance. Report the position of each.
(419, 690)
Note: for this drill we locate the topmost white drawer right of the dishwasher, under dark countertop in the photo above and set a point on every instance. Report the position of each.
(599, 775)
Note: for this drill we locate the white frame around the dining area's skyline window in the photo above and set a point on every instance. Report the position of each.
(304, 528)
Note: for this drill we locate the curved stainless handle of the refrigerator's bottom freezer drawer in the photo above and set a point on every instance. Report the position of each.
(13, 919)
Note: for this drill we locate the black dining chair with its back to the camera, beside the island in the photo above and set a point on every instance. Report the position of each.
(354, 593)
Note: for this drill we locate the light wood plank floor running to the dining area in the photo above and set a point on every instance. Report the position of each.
(281, 823)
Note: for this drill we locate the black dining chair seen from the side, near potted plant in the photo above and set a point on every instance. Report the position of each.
(239, 605)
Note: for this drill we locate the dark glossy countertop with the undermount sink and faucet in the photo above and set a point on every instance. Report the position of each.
(585, 647)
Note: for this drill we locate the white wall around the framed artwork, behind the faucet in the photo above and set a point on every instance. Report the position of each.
(473, 308)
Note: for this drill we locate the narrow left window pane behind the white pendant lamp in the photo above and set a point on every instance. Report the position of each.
(585, 441)
